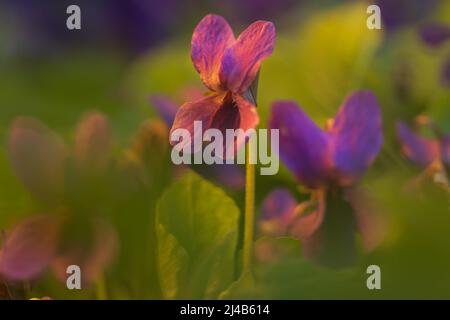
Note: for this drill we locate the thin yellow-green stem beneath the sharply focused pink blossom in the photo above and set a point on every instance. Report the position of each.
(249, 212)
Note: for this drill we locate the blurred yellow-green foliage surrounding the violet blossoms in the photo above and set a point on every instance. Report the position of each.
(192, 254)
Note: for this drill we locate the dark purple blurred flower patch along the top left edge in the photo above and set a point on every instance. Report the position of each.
(129, 24)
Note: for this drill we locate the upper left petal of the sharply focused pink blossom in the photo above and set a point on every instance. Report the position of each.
(210, 39)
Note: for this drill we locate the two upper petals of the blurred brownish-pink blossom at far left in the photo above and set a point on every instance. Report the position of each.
(41, 159)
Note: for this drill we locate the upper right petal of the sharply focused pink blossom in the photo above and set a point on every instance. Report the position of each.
(241, 61)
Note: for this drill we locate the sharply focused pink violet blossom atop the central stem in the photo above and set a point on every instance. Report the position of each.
(228, 67)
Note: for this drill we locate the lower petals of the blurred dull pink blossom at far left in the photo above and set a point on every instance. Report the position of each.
(37, 243)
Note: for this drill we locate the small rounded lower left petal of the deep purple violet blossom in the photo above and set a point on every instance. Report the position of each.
(277, 212)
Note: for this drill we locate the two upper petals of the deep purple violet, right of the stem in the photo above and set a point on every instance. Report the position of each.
(339, 155)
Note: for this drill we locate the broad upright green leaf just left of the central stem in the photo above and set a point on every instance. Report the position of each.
(197, 227)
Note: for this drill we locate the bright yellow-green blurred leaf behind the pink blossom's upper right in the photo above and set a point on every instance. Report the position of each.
(321, 62)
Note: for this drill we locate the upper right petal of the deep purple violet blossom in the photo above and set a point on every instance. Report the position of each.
(356, 136)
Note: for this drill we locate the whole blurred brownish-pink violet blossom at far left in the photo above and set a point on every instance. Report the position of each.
(44, 165)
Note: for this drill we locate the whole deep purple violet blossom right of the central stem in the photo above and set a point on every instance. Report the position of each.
(324, 161)
